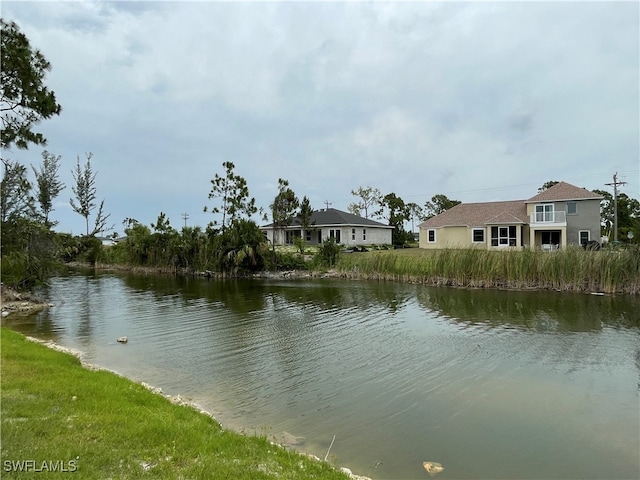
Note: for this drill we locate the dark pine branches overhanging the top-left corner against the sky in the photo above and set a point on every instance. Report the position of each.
(24, 99)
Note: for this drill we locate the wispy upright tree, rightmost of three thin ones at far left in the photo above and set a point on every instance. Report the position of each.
(85, 192)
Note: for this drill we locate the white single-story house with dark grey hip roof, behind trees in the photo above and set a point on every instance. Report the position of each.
(345, 228)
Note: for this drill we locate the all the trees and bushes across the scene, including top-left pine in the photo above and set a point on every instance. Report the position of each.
(31, 248)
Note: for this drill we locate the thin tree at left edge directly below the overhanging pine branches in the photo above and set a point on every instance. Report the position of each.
(16, 200)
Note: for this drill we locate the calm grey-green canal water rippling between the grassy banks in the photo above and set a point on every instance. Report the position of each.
(492, 384)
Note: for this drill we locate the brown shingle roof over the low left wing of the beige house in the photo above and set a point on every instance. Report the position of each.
(480, 214)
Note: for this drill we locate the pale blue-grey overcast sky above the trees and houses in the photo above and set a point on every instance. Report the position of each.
(477, 101)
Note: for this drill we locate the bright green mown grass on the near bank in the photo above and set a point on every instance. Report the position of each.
(105, 426)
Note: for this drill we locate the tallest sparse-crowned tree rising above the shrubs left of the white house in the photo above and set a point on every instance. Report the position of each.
(233, 193)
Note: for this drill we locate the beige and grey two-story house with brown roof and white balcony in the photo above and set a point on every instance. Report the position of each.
(554, 218)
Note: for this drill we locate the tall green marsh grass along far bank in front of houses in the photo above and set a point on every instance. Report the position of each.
(569, 269)
